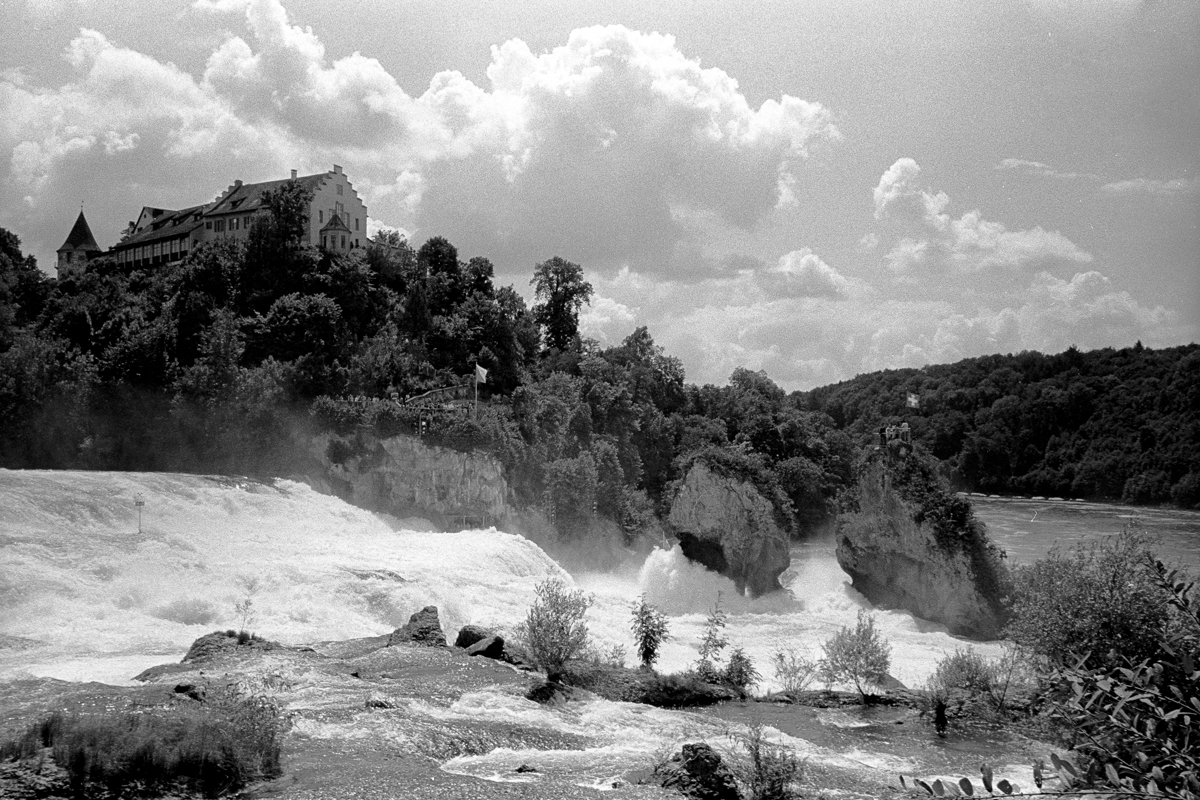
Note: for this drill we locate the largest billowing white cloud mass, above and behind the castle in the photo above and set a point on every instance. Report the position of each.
(613, 148)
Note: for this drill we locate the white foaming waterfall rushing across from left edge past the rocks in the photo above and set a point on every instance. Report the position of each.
(86, 597)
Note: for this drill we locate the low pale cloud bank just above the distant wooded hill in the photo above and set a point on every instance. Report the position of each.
(802, 342)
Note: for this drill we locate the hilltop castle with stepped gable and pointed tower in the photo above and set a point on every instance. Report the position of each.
(338, 222)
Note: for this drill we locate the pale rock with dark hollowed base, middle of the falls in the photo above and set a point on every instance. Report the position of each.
(729, 527)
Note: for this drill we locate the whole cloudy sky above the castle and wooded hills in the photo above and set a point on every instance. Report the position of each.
(814, 189)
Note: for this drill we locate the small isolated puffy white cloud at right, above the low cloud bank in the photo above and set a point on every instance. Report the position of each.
(969, 244)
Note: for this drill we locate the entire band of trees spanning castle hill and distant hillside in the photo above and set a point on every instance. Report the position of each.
(230, 360)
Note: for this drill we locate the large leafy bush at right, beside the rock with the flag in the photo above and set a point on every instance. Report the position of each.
(1096, 599)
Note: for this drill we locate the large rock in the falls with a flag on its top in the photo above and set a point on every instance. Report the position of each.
(915, 545)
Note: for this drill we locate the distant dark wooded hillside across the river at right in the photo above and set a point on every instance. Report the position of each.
(1120, 425)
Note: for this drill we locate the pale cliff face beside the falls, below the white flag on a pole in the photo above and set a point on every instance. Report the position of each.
(407, 478)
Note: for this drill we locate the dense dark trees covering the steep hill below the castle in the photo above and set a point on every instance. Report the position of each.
(230, 360)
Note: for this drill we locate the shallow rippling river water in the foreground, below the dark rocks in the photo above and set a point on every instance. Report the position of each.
(364, 720)
